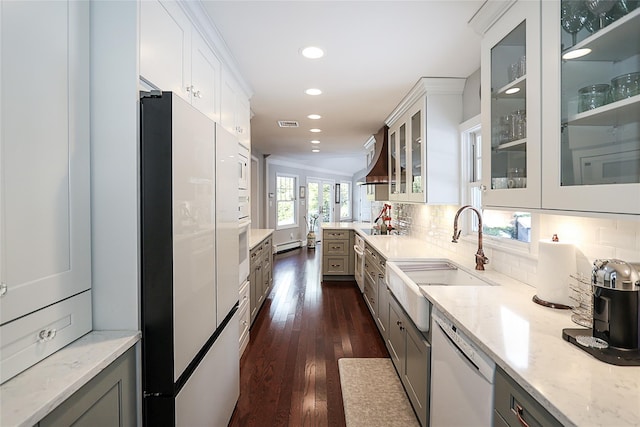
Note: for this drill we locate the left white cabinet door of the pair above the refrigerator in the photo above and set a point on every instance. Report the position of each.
(165, 47)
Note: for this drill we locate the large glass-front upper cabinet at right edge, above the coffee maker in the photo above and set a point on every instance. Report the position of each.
(592, 131)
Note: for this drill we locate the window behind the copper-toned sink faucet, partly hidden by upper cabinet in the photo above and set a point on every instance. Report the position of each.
(507, 225)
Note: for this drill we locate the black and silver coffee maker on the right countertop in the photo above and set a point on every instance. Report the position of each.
(616, 303)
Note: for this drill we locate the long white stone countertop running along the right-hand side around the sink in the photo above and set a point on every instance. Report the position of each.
(525, 339)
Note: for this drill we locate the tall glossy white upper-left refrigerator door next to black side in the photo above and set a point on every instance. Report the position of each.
(193, 232)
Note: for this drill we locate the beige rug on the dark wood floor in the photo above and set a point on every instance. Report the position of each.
(373, 395)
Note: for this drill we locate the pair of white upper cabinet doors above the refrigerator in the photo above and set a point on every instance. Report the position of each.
(174, 56)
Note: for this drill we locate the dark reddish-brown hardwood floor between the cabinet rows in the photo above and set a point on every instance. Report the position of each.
(289, 371)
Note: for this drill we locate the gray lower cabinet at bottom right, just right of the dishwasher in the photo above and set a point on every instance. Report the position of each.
(514, 407)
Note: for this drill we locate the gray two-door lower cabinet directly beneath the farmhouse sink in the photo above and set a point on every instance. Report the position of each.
(410, 353)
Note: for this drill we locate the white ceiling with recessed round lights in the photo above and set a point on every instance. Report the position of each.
(375, 53)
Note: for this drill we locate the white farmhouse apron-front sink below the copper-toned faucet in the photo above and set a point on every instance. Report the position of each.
(405, 278)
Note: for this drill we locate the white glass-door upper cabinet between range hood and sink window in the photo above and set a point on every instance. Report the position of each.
(424, 153)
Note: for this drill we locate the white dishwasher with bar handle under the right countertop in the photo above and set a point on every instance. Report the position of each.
(461, 378)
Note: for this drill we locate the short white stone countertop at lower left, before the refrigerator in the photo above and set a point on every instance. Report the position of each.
(34, 393)
